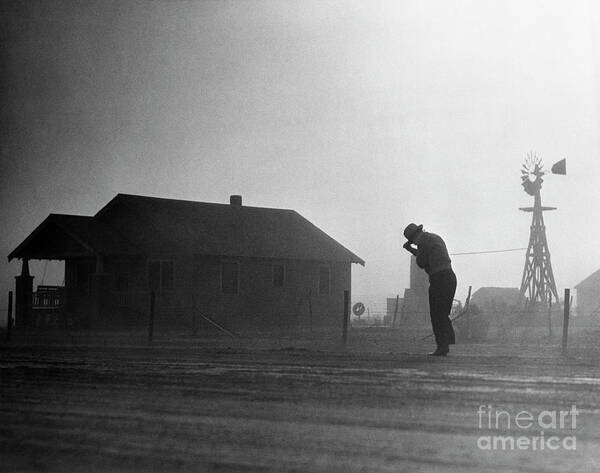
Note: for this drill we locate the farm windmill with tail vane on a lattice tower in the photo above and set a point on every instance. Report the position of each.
(538, 280)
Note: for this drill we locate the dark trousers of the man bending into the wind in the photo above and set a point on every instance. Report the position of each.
(442, 287)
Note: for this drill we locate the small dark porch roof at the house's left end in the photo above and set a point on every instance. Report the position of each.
(61, 234)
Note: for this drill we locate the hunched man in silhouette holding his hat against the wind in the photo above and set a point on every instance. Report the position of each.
(432, 256)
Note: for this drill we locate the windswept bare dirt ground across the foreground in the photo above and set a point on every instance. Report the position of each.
(286, 404)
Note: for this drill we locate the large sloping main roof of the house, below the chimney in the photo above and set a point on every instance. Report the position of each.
(201, 228)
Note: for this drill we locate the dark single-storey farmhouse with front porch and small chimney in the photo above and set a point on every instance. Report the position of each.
(240, 266)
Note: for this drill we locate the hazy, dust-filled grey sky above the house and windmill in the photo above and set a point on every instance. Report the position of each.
(362, 116)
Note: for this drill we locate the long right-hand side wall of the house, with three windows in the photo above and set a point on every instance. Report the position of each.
(261, 305)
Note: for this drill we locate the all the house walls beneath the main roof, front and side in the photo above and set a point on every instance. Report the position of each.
(197, 289)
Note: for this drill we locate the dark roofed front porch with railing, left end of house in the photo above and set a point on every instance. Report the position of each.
(86, 247)
